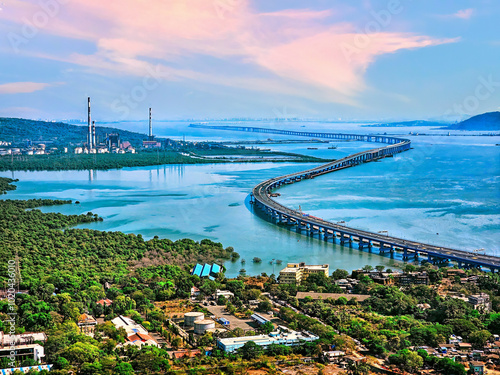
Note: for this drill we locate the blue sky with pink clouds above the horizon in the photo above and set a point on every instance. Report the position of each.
(215, 59)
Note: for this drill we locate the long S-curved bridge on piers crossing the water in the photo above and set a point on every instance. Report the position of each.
(261, 197)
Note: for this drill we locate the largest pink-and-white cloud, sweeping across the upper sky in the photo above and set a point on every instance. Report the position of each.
(286, 51)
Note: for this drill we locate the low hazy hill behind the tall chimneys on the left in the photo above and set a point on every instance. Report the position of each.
(18, 130)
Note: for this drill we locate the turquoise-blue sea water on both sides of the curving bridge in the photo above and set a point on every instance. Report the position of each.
(444, 191)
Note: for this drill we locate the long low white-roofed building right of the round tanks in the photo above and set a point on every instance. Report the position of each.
(283, 336)
